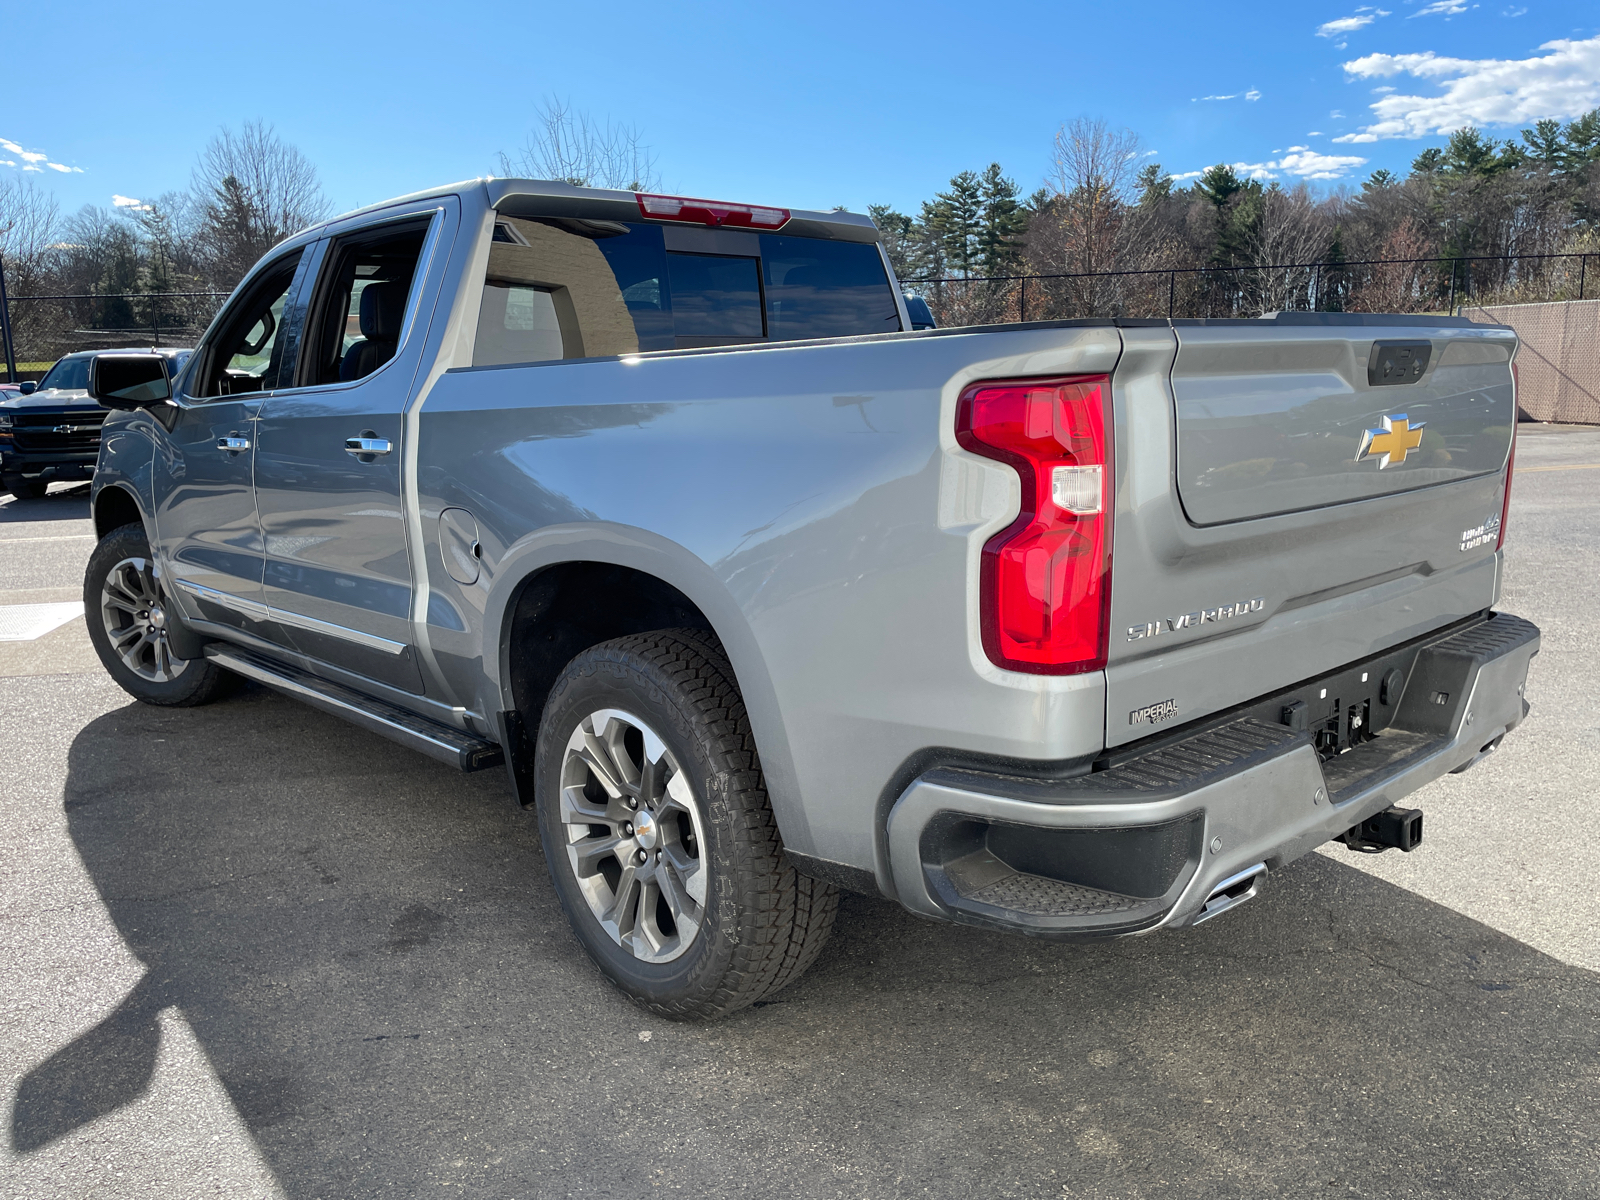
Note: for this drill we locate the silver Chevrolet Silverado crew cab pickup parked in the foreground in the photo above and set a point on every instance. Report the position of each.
(1070, 628)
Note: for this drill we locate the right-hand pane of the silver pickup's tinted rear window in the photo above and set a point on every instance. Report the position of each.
(825, 289)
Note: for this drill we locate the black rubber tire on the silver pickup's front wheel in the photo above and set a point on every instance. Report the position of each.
(190, 682)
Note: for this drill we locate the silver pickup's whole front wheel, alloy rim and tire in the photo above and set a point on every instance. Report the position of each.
(129, 614)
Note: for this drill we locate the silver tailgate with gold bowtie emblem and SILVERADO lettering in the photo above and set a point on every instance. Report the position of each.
(1294, 497)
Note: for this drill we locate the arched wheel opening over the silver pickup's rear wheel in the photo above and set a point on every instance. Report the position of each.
(569, 590)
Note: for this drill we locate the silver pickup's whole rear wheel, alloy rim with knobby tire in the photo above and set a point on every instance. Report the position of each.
(660, 836)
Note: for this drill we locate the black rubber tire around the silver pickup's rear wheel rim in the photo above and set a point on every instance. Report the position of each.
(766, 924)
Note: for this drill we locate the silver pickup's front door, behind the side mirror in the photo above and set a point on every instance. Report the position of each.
(209, 538)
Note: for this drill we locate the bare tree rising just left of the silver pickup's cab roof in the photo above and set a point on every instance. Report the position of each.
(254, 190)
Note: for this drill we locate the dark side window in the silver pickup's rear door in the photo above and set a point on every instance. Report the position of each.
(361, 303)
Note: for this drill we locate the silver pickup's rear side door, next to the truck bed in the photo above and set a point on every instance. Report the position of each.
(330, 452)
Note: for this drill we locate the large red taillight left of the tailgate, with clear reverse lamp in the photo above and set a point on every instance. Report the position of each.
(1047, 577)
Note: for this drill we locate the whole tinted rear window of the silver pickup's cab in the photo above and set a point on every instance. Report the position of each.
(567, 289)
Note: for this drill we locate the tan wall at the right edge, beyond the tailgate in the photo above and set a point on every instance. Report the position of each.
(1559, 362)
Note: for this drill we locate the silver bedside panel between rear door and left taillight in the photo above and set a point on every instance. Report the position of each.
(812, 502)
